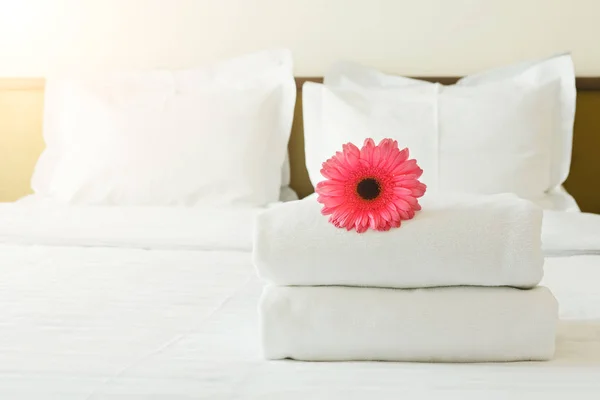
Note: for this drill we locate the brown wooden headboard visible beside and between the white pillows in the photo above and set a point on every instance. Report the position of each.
(21, 108)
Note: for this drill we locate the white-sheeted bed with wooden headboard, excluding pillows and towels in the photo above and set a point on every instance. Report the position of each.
(161, 303)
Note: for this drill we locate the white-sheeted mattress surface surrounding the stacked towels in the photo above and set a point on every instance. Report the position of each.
(141, 320)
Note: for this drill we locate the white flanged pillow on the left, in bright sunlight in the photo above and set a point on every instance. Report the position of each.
(210, 136)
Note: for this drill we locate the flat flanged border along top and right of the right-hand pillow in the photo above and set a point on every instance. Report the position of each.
(536, 73)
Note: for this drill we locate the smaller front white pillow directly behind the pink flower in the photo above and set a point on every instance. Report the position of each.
(333, 117)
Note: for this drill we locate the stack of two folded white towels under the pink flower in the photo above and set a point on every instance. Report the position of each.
(455, 284)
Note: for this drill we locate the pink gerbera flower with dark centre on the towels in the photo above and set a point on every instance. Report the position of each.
(375, 187)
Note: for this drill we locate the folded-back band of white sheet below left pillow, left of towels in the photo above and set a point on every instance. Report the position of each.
(169, 228)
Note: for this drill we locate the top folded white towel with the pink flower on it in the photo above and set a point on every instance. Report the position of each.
(454, 240)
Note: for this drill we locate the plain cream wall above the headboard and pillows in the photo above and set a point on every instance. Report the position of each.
(422, 37)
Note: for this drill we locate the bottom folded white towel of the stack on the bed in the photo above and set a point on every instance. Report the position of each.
(450, 324)
